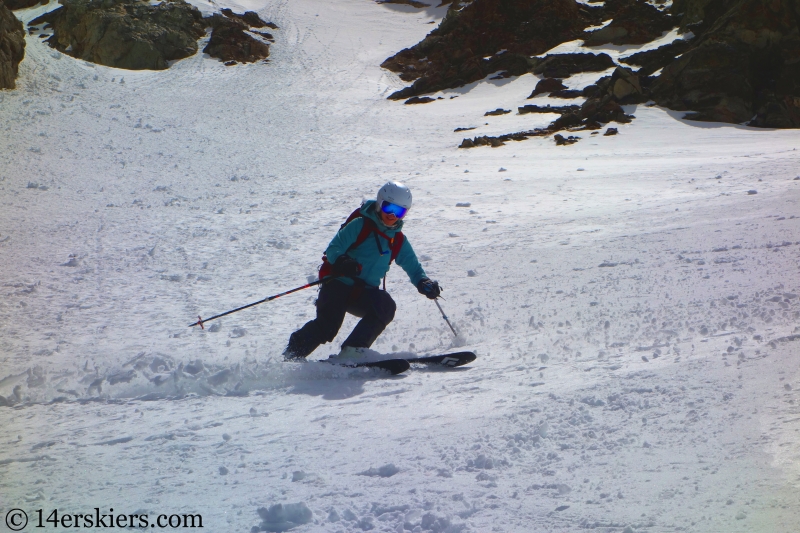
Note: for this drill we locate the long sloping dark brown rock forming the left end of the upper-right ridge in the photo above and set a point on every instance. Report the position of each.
(453, 54)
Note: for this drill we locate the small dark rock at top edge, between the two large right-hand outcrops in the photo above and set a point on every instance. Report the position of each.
(634, 22)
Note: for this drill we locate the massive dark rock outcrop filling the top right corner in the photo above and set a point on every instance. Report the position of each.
(745, 63)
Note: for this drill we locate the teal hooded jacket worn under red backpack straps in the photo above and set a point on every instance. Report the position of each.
(374, 266)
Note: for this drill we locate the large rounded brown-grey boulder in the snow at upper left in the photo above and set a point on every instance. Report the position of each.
(125, 34)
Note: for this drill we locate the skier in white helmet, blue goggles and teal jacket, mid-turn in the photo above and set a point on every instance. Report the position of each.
(357, 258)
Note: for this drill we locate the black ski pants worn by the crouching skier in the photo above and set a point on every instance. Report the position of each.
(374, 306)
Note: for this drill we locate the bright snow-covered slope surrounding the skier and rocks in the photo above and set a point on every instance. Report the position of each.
(634, 310)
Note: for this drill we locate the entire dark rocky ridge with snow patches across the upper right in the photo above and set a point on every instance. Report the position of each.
(738, 61)
